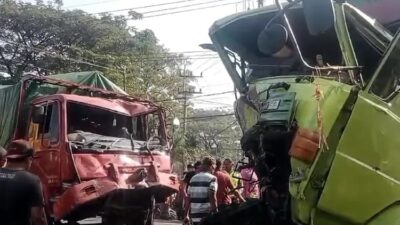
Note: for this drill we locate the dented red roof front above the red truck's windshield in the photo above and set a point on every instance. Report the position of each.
(116, 105)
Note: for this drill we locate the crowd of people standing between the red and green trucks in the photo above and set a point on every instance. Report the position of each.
(209, 186)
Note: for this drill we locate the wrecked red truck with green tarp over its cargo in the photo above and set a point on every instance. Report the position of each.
(99, 152)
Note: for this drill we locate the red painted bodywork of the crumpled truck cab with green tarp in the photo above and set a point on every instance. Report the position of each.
(74, 180)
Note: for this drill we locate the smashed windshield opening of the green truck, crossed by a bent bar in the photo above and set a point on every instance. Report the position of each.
(262, 41)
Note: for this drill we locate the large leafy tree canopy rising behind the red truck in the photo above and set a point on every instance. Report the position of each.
(45, 39)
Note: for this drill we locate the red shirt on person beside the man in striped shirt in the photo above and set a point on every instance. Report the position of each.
(224, 187)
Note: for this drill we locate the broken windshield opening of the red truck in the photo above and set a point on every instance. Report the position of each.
(97, 128)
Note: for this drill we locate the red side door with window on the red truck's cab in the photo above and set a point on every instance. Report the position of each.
(45, 139)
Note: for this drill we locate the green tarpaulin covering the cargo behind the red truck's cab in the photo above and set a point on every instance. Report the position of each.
(9, 95)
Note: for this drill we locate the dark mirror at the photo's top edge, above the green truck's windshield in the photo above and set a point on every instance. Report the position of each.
(319, 15)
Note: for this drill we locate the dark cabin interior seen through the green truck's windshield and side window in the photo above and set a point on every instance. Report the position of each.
(262, 41)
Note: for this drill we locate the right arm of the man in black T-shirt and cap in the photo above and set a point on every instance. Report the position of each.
(38, 215)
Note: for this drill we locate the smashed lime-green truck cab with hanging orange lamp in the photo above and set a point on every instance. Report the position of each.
(319, 108)
